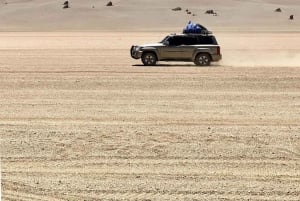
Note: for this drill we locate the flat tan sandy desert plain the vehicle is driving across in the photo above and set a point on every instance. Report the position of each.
(81, 120)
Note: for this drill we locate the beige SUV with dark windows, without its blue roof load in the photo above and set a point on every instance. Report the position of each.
(202, 49)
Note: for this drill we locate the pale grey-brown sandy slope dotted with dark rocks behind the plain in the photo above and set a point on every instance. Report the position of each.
(152, 15)
